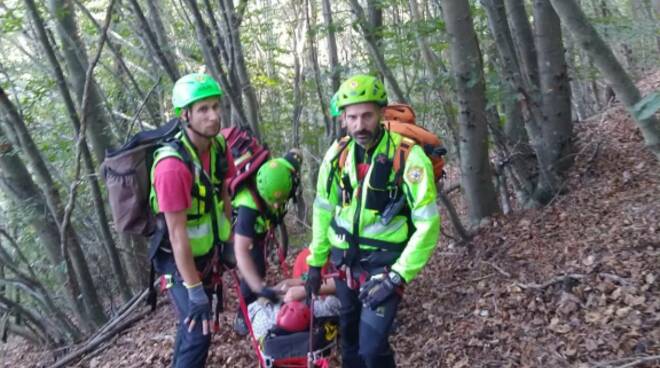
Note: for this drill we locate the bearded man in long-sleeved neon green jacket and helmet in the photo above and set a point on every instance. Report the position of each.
(378, 226)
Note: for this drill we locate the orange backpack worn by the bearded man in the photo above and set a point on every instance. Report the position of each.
(400, 118)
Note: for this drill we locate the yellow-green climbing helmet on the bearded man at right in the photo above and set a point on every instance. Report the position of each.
(361, 88)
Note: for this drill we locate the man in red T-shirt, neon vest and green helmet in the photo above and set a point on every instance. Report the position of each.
(188, 195)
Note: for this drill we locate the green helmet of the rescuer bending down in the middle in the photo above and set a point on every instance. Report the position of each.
(275, 180)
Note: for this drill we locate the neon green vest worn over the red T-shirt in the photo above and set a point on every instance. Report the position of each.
(199, 224)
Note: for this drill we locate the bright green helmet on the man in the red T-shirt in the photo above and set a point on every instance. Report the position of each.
(192, 88)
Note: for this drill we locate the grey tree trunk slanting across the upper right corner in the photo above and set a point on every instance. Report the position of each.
(586, 36)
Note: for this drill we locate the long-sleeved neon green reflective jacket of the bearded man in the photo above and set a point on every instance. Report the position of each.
(333, 221)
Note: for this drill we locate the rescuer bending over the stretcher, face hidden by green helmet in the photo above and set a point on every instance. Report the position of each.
(259, 207)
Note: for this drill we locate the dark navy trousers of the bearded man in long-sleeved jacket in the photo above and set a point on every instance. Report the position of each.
(365, 332)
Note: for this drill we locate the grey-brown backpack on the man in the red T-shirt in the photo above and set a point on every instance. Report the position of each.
(126, 171)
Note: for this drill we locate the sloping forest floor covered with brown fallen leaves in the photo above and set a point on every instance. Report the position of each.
(573, 284)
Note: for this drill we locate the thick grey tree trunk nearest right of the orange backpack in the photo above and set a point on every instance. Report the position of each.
(476, 175)
